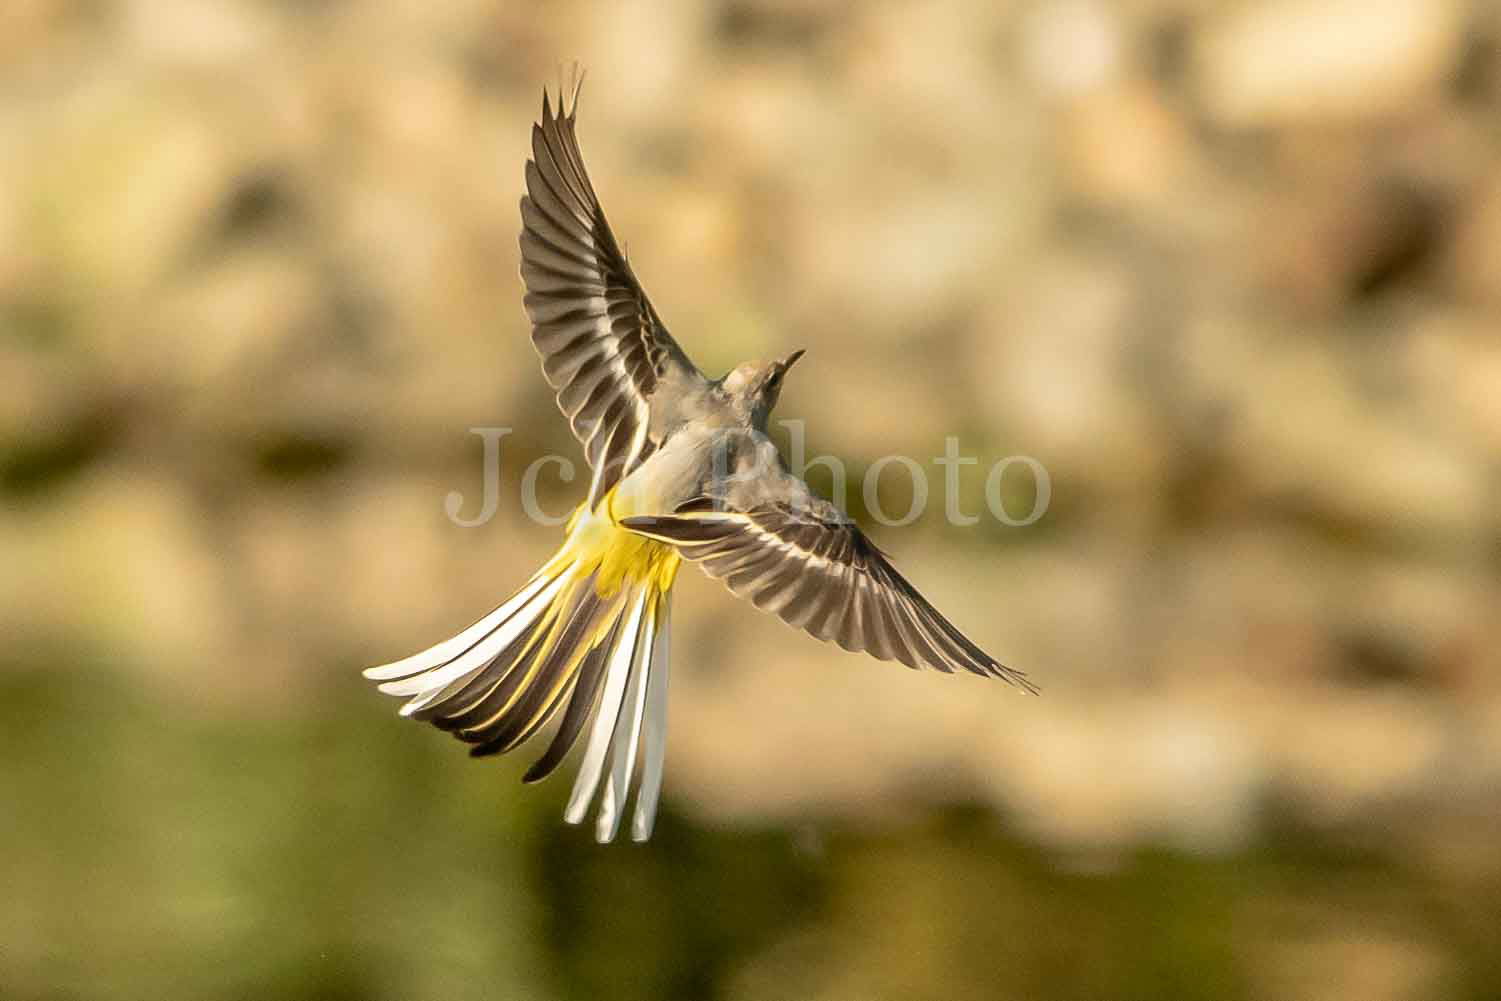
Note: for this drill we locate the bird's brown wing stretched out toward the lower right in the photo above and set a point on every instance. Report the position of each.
(819, 573)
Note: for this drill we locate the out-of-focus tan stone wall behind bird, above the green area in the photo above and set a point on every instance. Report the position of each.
(1232, 272)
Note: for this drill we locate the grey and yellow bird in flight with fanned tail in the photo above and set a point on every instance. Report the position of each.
(682, 469)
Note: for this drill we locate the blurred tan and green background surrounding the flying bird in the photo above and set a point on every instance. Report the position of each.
(1232, 272)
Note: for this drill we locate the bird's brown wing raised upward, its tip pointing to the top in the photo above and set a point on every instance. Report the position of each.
(604, 347)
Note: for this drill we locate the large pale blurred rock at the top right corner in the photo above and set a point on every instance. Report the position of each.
(1289, 61)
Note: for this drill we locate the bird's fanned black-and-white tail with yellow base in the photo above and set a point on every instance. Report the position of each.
(591, 627)
